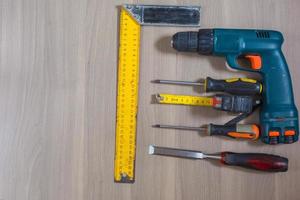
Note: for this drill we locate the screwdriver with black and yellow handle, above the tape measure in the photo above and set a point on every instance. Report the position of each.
(240, 86)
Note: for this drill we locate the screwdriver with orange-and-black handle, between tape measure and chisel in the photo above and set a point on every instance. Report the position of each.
(238, 131)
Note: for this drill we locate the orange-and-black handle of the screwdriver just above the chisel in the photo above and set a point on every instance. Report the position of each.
(243, 131)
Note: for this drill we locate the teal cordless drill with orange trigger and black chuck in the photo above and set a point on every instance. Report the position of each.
(278, 115)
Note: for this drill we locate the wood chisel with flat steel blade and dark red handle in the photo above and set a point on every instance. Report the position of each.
(257, 161)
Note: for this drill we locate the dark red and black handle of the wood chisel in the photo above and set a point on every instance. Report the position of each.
(257, 161)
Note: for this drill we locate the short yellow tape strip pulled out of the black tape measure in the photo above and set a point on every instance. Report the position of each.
(184, 100)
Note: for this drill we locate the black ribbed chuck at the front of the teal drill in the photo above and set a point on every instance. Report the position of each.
(191, 41)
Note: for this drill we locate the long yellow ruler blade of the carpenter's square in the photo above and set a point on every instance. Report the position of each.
(127, 99)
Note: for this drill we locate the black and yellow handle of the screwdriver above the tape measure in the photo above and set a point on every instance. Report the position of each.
(239, 86)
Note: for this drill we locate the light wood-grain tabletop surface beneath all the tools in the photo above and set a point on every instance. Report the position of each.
(58, 94)
